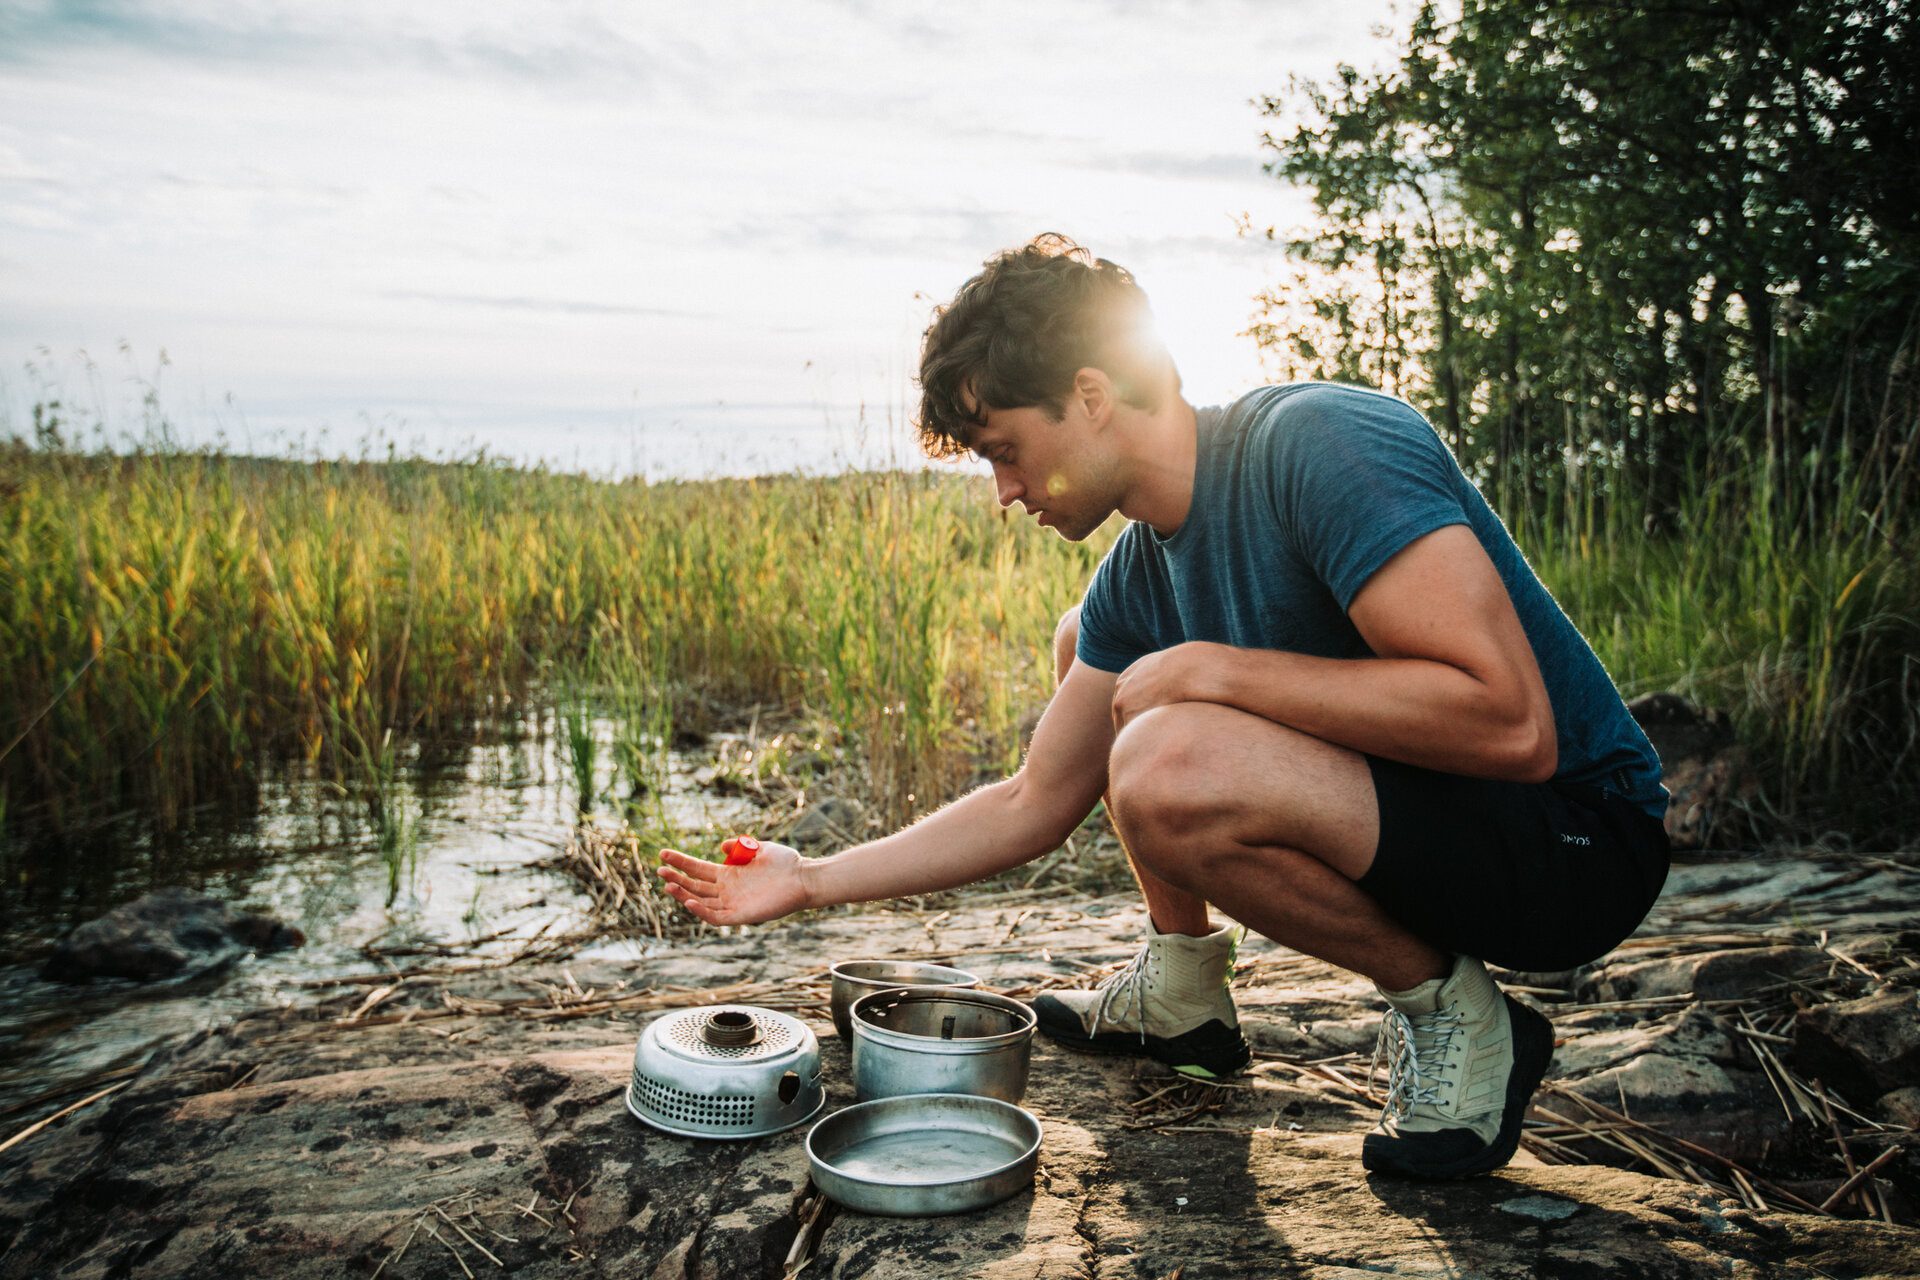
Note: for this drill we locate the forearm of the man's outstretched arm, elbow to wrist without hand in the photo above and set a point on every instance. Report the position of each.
(978, 836)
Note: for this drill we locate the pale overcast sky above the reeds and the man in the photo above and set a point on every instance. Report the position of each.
(635, 237)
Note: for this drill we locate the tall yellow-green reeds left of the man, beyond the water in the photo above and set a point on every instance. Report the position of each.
(176, 627)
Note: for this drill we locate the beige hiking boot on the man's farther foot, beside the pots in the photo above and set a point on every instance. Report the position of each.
(1170, 1003)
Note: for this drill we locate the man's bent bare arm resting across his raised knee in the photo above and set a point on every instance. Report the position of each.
(1454, 684)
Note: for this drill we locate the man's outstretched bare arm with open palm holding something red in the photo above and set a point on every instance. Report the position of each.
(986, 832)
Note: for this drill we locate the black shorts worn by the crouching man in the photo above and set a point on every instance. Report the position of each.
(1524, 876)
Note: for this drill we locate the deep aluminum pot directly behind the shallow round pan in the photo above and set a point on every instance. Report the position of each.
(942, 1041)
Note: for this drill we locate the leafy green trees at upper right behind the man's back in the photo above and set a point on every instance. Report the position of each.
(1666, 237)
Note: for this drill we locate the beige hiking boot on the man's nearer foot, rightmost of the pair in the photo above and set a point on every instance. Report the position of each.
(1464, 1062)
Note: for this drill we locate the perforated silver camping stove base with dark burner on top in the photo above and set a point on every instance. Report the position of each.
(727, 1072)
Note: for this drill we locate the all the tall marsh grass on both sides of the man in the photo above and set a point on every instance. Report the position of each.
(178, 627)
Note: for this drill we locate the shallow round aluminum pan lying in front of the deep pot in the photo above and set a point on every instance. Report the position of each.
(924, 1154)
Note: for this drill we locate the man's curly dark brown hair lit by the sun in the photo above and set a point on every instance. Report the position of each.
(1019, 333)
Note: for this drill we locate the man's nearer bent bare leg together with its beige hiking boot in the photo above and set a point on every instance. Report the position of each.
(1282, 826)
